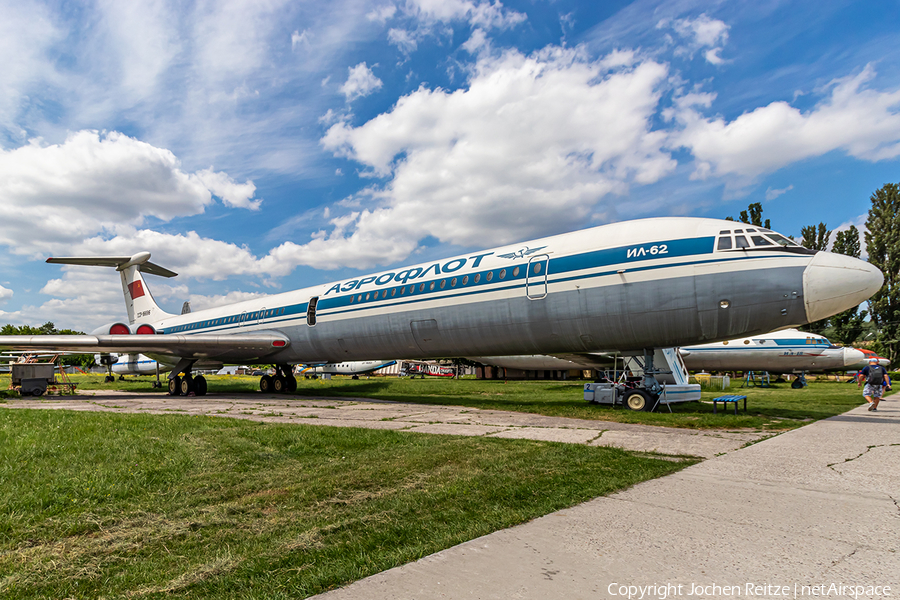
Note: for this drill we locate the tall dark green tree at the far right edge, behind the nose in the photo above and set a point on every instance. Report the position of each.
(883, 245)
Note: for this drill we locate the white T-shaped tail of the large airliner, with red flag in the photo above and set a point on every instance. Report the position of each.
(138, 300)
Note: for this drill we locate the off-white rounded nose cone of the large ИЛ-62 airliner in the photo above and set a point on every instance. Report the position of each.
(833, 283)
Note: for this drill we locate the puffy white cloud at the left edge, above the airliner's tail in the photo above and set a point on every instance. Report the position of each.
(95, 183)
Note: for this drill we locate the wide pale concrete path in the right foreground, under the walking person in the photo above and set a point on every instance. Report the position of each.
(818, 506)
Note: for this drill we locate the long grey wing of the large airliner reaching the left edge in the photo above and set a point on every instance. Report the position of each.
(229, 347)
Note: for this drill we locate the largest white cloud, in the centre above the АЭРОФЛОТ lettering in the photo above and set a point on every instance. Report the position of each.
(533, 142)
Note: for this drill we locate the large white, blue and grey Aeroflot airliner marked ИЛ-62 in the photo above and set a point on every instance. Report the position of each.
(634, 286)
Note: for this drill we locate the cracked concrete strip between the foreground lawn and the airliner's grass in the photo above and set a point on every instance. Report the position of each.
(423, 418)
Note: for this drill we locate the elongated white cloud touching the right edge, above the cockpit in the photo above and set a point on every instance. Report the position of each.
(864, 123)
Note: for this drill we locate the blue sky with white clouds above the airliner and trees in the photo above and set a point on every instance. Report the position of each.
(258, 147)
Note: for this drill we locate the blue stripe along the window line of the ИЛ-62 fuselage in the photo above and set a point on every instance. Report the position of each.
(611, 257)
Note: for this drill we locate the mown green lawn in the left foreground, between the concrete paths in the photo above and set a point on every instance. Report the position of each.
(140, 506)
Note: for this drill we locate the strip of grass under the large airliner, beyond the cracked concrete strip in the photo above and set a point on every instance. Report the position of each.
(776, 408)
